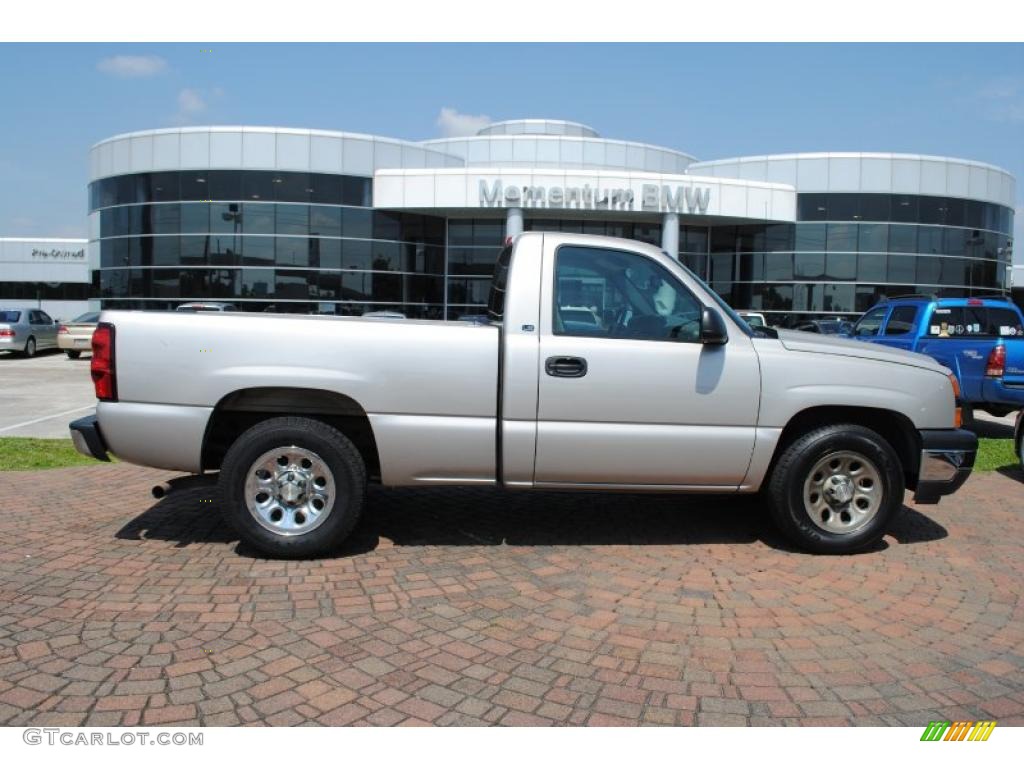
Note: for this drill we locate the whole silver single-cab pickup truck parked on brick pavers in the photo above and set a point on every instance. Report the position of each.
(607, 366)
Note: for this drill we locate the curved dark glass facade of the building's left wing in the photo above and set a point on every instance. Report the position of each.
(287, 242)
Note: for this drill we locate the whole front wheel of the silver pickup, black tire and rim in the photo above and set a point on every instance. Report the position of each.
(844, 466)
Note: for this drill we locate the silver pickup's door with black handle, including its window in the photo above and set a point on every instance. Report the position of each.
(627, 395)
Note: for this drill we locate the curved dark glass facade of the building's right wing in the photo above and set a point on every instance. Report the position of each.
(849, 251)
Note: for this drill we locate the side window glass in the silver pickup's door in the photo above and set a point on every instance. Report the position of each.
(621, 295)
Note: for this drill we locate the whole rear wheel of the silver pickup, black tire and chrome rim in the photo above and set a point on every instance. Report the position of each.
(286, 523)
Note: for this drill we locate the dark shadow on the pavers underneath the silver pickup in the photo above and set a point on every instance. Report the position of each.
(410, 518)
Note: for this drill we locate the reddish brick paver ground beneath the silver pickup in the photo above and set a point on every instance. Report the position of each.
(477, 608)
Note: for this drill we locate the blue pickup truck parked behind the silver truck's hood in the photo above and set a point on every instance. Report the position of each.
(982, 340)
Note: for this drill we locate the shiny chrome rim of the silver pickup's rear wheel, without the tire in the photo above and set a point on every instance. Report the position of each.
(290, 491)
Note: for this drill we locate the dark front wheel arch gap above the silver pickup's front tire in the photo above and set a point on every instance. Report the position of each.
(897, 429)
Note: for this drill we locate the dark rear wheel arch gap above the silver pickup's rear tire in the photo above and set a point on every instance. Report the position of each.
(240, 410)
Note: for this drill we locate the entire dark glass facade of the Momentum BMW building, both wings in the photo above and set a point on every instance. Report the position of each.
(312, 243)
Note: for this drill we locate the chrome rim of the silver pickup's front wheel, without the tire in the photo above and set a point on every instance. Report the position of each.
(843, 492)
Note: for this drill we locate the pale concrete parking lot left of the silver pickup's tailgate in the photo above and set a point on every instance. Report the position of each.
(41, 395)
